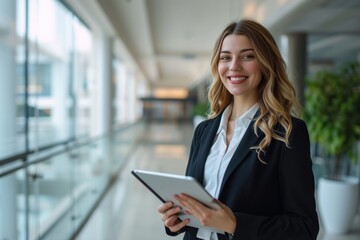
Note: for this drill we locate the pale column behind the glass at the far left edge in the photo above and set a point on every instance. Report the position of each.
(8, 184)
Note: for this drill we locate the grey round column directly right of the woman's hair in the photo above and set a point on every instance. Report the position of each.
(293, 46)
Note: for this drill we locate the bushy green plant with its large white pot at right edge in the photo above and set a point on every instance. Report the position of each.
(332, 101)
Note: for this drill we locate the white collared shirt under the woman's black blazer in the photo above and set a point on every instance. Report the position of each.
(221, 154)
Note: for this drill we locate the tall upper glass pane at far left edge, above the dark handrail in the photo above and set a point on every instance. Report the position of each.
(11, 76)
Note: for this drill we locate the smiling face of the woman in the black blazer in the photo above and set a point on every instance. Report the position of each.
(238, 67)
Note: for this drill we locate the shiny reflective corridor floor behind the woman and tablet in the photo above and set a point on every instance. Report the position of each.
(128, 211)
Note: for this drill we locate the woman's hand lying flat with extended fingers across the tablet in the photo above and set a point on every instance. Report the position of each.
(222, 219)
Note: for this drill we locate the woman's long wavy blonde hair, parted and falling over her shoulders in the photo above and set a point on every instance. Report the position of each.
(276, 96)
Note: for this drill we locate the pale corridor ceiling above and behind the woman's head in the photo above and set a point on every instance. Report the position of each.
(171, 40)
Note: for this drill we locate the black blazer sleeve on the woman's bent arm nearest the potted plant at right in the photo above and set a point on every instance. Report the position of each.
(298, 218)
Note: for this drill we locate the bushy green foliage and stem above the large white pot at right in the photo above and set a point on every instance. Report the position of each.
(332, 101)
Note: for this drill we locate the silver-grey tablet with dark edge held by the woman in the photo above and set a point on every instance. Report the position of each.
(164, 186)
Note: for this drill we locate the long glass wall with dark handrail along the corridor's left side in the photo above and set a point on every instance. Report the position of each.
(53, 169)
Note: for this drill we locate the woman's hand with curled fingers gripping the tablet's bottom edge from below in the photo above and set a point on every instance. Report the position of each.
(169, 215)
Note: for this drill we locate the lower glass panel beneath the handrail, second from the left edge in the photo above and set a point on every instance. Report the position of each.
(51, 198)
